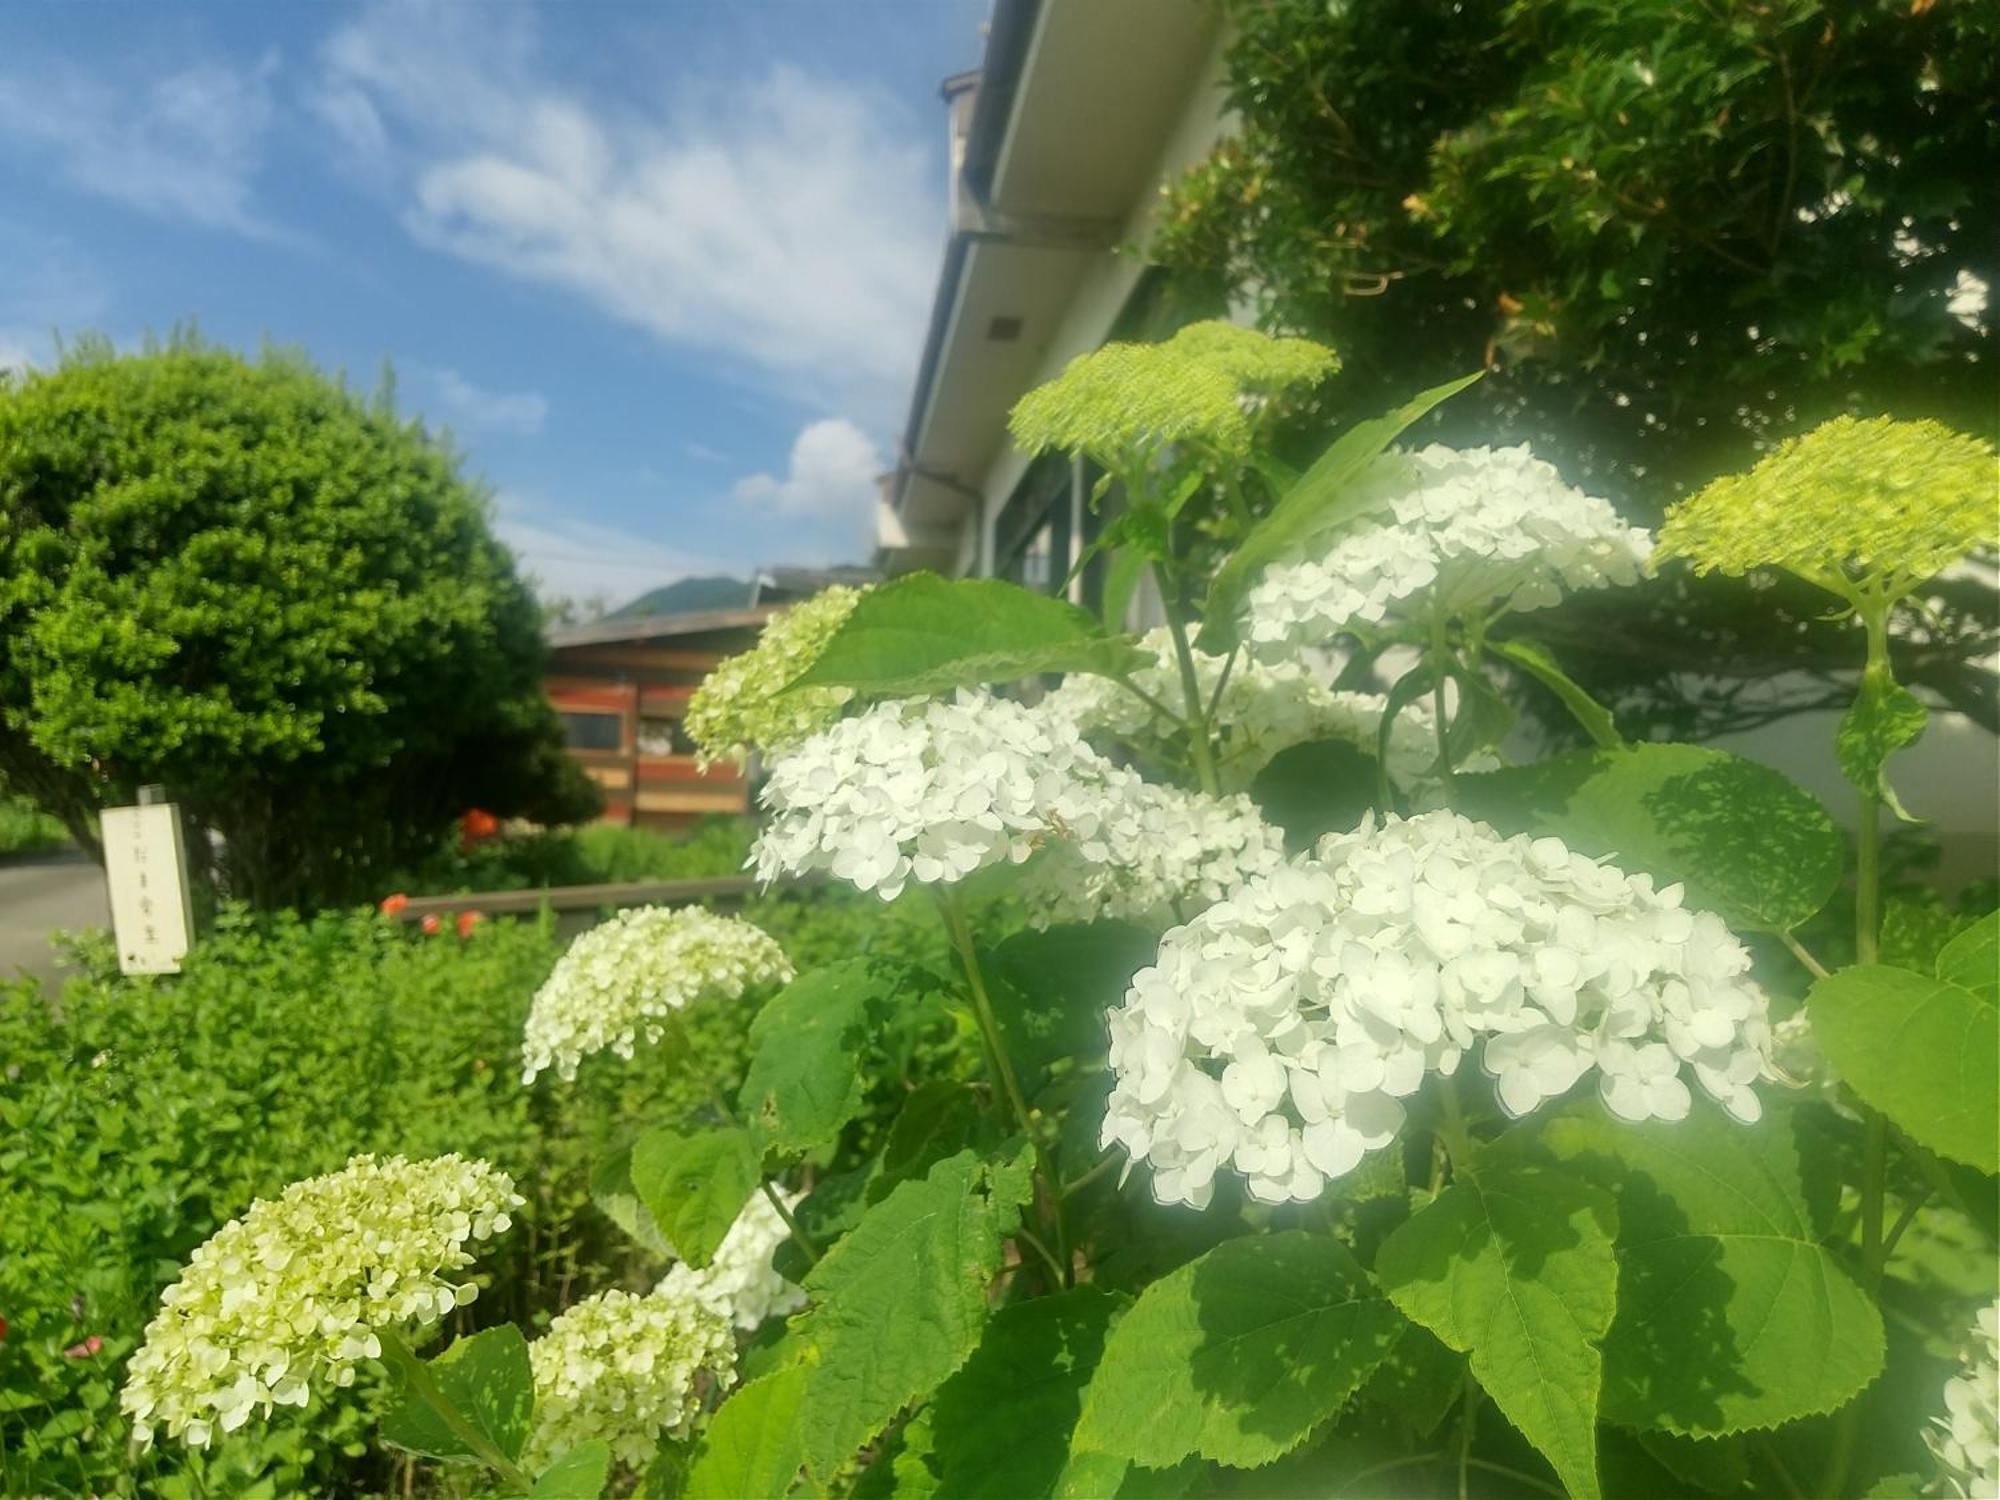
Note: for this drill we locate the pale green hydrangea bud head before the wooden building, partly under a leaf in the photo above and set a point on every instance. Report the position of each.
(739, 707)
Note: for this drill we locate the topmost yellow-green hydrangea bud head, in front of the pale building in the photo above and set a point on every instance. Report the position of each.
(1197, 387)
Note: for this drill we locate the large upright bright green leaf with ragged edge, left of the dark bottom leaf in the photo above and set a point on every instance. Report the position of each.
(901, 1303)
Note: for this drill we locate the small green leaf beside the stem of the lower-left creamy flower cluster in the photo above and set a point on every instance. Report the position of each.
(485, 1379)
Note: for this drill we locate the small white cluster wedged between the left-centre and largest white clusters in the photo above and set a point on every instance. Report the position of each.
(1157, 857)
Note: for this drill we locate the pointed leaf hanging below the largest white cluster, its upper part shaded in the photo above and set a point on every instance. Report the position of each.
(1513, 1265)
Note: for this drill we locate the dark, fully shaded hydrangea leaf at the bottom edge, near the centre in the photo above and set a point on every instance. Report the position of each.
(1001, 1427)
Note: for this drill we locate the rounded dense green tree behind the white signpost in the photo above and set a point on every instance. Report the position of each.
(279, 601)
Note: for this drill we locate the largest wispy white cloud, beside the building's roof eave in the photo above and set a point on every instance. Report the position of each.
(787, 223)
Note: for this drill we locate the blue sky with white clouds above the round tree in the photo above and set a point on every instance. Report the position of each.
(663, 269)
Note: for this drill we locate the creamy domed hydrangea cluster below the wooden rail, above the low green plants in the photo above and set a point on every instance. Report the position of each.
(619, 983)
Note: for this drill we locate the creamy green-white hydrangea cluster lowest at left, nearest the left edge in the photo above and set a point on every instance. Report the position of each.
(289, 1297)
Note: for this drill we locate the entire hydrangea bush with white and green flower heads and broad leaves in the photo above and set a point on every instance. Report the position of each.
(1311, 1099)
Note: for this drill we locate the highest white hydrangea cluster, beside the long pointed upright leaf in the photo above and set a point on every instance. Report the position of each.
(1479, 529)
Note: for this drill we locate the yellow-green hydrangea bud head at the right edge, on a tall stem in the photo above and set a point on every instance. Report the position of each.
(1859, 505)
